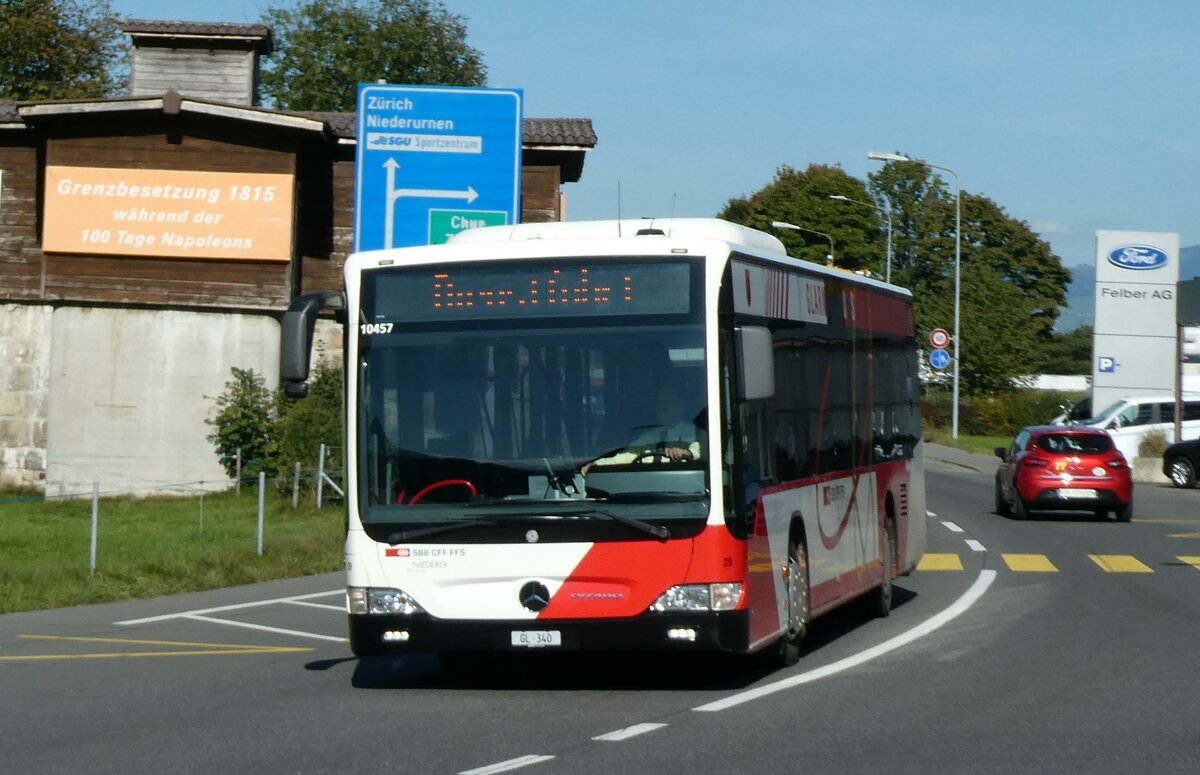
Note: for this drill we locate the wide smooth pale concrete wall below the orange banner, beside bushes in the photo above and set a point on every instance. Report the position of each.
(130, 392)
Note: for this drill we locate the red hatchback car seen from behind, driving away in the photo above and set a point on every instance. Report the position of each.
(1064, 468)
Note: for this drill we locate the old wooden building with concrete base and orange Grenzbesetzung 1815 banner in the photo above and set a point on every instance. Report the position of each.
(115, 338)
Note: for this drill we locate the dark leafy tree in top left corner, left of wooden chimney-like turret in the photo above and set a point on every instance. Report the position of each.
(59, 50)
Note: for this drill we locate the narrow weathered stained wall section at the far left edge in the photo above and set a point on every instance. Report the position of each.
(25, 389)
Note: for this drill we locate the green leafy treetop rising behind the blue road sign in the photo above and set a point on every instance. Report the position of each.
(325, 49)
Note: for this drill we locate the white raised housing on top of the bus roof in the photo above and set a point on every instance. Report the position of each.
(627, 229)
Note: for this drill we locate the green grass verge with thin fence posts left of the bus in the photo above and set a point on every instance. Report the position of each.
(154, 546)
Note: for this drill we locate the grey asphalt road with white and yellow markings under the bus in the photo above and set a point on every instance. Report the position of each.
(1051, 645)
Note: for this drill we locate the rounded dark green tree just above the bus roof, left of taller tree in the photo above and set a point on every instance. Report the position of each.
(802, 199)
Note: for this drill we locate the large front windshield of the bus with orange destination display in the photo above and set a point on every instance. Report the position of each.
(538, 412)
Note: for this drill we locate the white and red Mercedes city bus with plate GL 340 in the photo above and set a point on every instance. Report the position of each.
(502, 491)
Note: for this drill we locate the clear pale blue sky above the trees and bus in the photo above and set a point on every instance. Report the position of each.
(1073, 116)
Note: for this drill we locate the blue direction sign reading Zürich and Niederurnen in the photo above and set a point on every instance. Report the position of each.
(452, 151)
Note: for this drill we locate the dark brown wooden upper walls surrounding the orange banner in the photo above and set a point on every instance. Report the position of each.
(179, 134)
